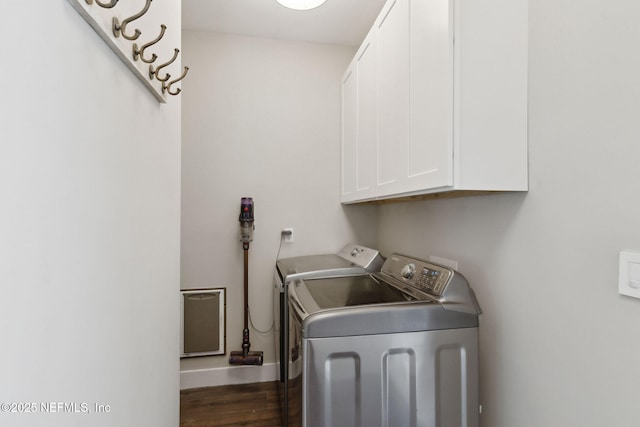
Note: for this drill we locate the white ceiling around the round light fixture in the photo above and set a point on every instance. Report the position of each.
(343, 22)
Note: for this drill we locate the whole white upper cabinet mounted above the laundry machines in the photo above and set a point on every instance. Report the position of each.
(442, 105)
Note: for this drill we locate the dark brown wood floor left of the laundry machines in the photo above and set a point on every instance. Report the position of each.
(253, 405)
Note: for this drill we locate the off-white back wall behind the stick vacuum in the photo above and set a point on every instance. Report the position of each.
(261, 118)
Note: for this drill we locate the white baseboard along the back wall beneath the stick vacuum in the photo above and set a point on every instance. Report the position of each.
(198, 378)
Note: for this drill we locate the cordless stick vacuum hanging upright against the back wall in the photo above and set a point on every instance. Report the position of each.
(246, 357)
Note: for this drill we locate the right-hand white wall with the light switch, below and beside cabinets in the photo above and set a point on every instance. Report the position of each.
(558, 344)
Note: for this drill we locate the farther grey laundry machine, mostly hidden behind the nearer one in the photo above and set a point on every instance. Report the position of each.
(351, 260)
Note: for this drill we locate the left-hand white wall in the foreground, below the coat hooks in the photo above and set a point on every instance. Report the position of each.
(89, 226)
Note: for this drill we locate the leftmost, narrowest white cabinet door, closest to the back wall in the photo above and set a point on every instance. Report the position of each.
(349, 134)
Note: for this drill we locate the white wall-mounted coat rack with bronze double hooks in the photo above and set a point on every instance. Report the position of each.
(118, 30)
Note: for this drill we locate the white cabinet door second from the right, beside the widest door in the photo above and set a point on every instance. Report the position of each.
(393, 97)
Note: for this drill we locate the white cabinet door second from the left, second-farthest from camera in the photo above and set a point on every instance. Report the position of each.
(366, 117)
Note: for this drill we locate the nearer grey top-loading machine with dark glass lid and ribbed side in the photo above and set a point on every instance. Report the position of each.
(396, 348)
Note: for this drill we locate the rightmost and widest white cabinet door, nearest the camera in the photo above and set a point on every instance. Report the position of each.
(430, 154)
